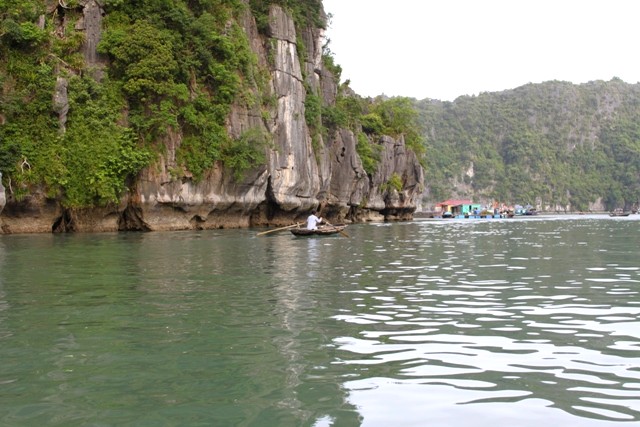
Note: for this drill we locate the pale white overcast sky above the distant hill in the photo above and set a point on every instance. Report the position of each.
(442, 49)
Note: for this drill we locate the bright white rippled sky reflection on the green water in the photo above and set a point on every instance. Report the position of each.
(558, 336)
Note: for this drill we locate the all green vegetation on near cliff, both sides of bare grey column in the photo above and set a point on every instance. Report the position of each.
(168, 74)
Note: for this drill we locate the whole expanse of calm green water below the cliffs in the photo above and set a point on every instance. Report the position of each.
(458, 323)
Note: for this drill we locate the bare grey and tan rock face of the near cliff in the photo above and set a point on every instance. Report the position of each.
(299, 176)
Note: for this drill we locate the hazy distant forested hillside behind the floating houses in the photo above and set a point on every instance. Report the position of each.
(556, 145)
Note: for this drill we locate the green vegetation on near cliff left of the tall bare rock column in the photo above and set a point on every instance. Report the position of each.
(174, 66)
